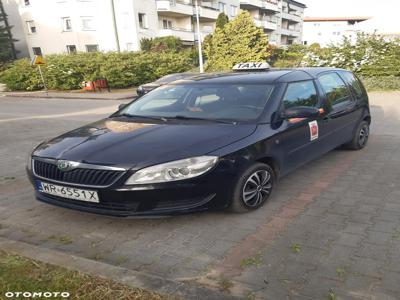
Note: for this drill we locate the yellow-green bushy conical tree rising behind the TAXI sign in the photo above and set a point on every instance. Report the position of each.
(240, 40)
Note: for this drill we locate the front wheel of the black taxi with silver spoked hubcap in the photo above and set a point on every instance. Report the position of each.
(252, 188)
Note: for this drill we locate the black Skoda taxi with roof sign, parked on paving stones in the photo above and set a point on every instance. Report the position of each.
(210, 141)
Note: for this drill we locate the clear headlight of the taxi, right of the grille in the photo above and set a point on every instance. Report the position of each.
(173, 171)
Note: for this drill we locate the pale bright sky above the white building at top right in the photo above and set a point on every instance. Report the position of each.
(385, 13)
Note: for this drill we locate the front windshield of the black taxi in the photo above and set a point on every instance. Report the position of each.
(234, 102)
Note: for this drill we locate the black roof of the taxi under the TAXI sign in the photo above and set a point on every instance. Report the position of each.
(251, 77)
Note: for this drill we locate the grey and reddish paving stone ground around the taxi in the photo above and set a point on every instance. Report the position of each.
(331, 228)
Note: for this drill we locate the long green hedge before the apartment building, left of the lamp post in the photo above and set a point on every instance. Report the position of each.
(66, 72)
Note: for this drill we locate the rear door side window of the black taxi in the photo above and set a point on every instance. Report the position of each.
(335, 88)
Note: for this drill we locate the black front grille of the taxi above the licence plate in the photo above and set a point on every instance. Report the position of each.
(79, 176)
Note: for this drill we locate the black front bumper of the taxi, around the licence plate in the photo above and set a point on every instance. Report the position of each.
(210, 191)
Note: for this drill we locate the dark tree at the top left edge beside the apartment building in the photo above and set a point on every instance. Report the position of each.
(7, 49)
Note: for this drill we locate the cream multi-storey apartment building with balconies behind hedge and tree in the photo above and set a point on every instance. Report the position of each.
(68, 26)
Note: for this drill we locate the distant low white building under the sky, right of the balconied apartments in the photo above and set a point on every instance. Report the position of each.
(327, 31)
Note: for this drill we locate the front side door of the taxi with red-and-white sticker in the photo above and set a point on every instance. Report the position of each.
(299, 138)
